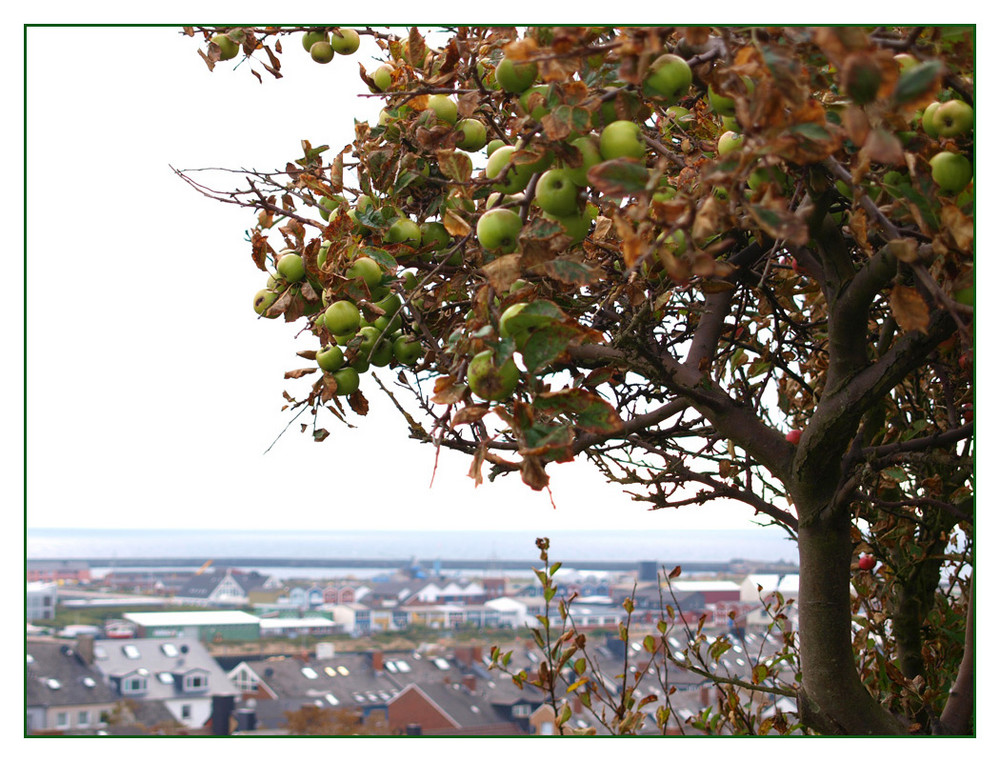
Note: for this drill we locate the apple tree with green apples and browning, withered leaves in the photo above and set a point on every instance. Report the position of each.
(718, 263)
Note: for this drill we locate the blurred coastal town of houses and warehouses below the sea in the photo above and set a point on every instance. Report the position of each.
(420, 650)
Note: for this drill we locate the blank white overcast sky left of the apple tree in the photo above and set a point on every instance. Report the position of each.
(153, 390)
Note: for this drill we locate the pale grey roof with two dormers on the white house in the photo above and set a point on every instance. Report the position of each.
(164, 662)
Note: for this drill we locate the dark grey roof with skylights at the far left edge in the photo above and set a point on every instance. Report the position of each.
(75, 682)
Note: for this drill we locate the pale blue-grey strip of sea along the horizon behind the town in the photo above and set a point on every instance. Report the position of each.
(667, 548)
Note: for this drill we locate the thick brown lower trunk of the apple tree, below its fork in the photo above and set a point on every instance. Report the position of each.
(833, 699)
